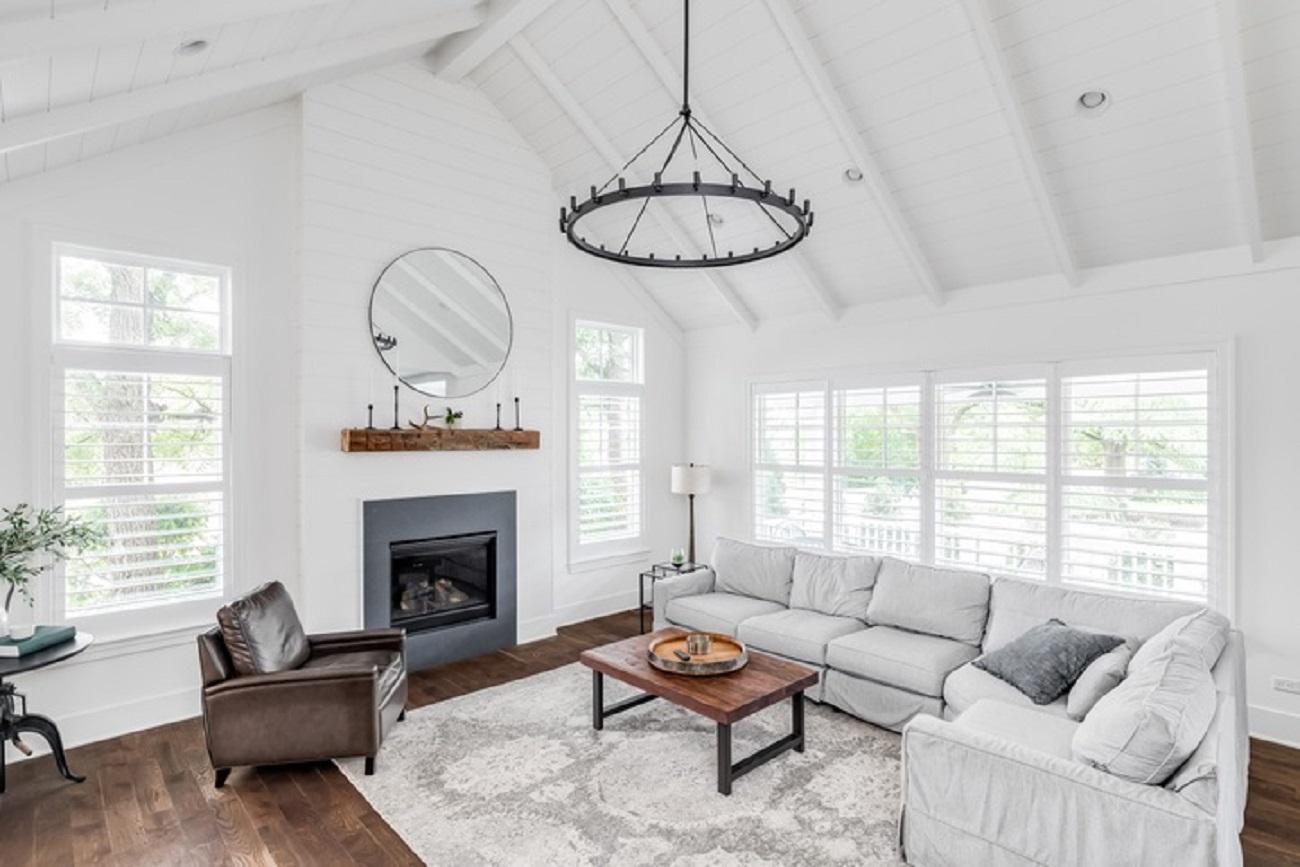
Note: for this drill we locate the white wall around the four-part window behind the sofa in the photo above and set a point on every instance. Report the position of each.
(1028, 323)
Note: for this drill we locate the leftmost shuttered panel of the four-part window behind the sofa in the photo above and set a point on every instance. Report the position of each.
(790, 463)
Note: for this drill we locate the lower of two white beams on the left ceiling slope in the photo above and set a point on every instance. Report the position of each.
(310, 67)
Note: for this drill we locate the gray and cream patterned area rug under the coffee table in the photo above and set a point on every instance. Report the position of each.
(515, 775)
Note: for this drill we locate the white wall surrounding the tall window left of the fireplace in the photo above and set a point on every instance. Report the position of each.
(224, 194)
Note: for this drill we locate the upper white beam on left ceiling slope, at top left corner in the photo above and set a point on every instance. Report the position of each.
(137, 23)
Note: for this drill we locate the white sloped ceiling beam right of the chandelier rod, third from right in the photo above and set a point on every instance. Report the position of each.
(852, 140)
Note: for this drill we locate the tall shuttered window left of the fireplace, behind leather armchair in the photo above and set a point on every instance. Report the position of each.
(141, 427)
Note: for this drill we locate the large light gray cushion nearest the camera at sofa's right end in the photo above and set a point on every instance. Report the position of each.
(1150, 725)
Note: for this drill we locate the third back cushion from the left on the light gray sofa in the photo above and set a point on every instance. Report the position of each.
(952, 604)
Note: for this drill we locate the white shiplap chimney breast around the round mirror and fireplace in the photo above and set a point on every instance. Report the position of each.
(395, 161)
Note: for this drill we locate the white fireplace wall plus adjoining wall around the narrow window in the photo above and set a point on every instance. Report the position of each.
(396, 161)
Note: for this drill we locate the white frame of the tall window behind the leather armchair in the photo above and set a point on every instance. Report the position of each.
(63, 356)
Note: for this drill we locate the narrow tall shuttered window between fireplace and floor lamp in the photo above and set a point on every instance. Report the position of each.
(609, 384)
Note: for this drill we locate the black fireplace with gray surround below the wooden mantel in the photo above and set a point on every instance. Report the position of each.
(444, 569)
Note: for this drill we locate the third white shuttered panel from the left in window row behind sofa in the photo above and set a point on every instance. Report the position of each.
(991, 501)
